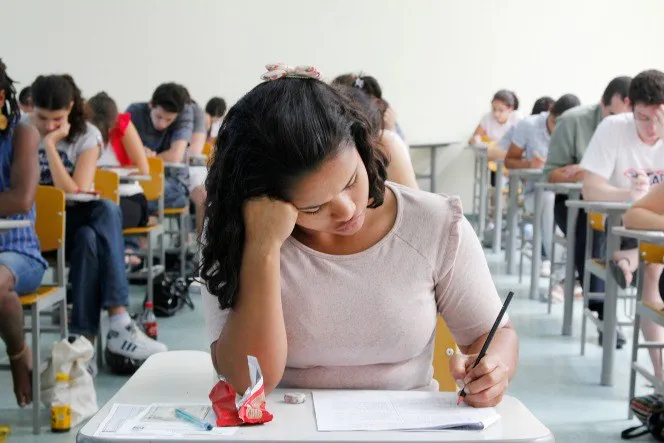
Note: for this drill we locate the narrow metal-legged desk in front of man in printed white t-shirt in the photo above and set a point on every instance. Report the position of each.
(613, 212)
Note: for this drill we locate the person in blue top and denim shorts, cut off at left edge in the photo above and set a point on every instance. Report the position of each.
(21, 264)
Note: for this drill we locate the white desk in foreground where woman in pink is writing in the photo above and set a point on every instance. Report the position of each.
(188, 376)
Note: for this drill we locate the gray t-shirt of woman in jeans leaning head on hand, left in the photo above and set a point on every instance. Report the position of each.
(69, 152)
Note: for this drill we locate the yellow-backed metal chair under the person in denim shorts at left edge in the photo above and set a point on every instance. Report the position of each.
(50, 227)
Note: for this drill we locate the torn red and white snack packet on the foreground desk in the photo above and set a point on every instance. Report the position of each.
(233, 410)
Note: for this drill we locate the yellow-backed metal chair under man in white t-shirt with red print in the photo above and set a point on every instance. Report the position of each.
(598, 268)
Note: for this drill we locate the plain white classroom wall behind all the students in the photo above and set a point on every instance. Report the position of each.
(438, 61)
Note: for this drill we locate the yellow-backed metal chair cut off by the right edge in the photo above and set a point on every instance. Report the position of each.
(648, 253)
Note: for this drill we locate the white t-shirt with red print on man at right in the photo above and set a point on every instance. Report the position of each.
(616, 153)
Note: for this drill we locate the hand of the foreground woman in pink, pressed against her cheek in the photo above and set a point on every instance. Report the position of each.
(268, 222)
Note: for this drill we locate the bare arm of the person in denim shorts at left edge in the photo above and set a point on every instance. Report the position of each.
(20, 196)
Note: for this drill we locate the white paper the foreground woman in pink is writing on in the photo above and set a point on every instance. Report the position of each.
(395, 410)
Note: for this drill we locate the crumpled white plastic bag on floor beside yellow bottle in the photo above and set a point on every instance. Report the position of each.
(73, 359)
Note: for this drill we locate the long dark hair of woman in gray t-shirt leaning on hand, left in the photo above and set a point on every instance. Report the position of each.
(55, 92)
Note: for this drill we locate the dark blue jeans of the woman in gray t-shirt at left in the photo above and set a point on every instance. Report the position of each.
(95, 249)
